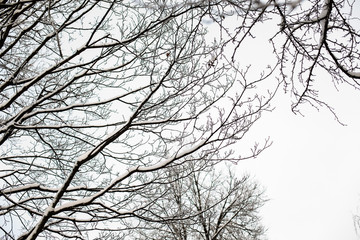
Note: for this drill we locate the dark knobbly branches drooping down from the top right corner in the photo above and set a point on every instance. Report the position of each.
(319, 36)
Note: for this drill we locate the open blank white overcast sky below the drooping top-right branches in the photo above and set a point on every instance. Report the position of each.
(311, 172)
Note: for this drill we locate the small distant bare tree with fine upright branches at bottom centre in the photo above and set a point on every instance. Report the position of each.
(207, 204)
